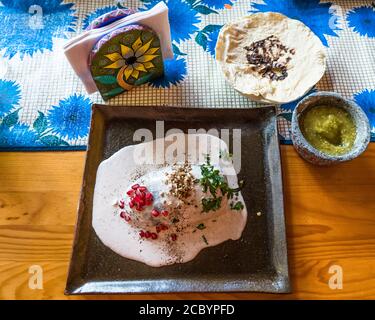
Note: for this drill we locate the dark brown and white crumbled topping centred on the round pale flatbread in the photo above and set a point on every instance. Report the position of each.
(270, 58)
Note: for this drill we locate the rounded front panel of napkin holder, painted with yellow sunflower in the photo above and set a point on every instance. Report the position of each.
(128, 57)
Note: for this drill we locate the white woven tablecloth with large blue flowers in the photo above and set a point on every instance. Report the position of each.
(43, 105)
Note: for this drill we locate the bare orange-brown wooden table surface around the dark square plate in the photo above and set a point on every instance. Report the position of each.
(330, 216)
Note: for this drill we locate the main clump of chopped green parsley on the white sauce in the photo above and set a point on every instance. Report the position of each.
(212, 181)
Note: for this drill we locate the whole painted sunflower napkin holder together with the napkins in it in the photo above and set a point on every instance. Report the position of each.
(123, 49)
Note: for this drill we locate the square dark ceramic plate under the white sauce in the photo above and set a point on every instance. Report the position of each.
(256, 262)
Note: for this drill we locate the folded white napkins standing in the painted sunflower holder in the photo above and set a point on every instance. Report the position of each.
(77, 50)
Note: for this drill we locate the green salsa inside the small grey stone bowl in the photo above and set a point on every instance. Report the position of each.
(329, 129)
